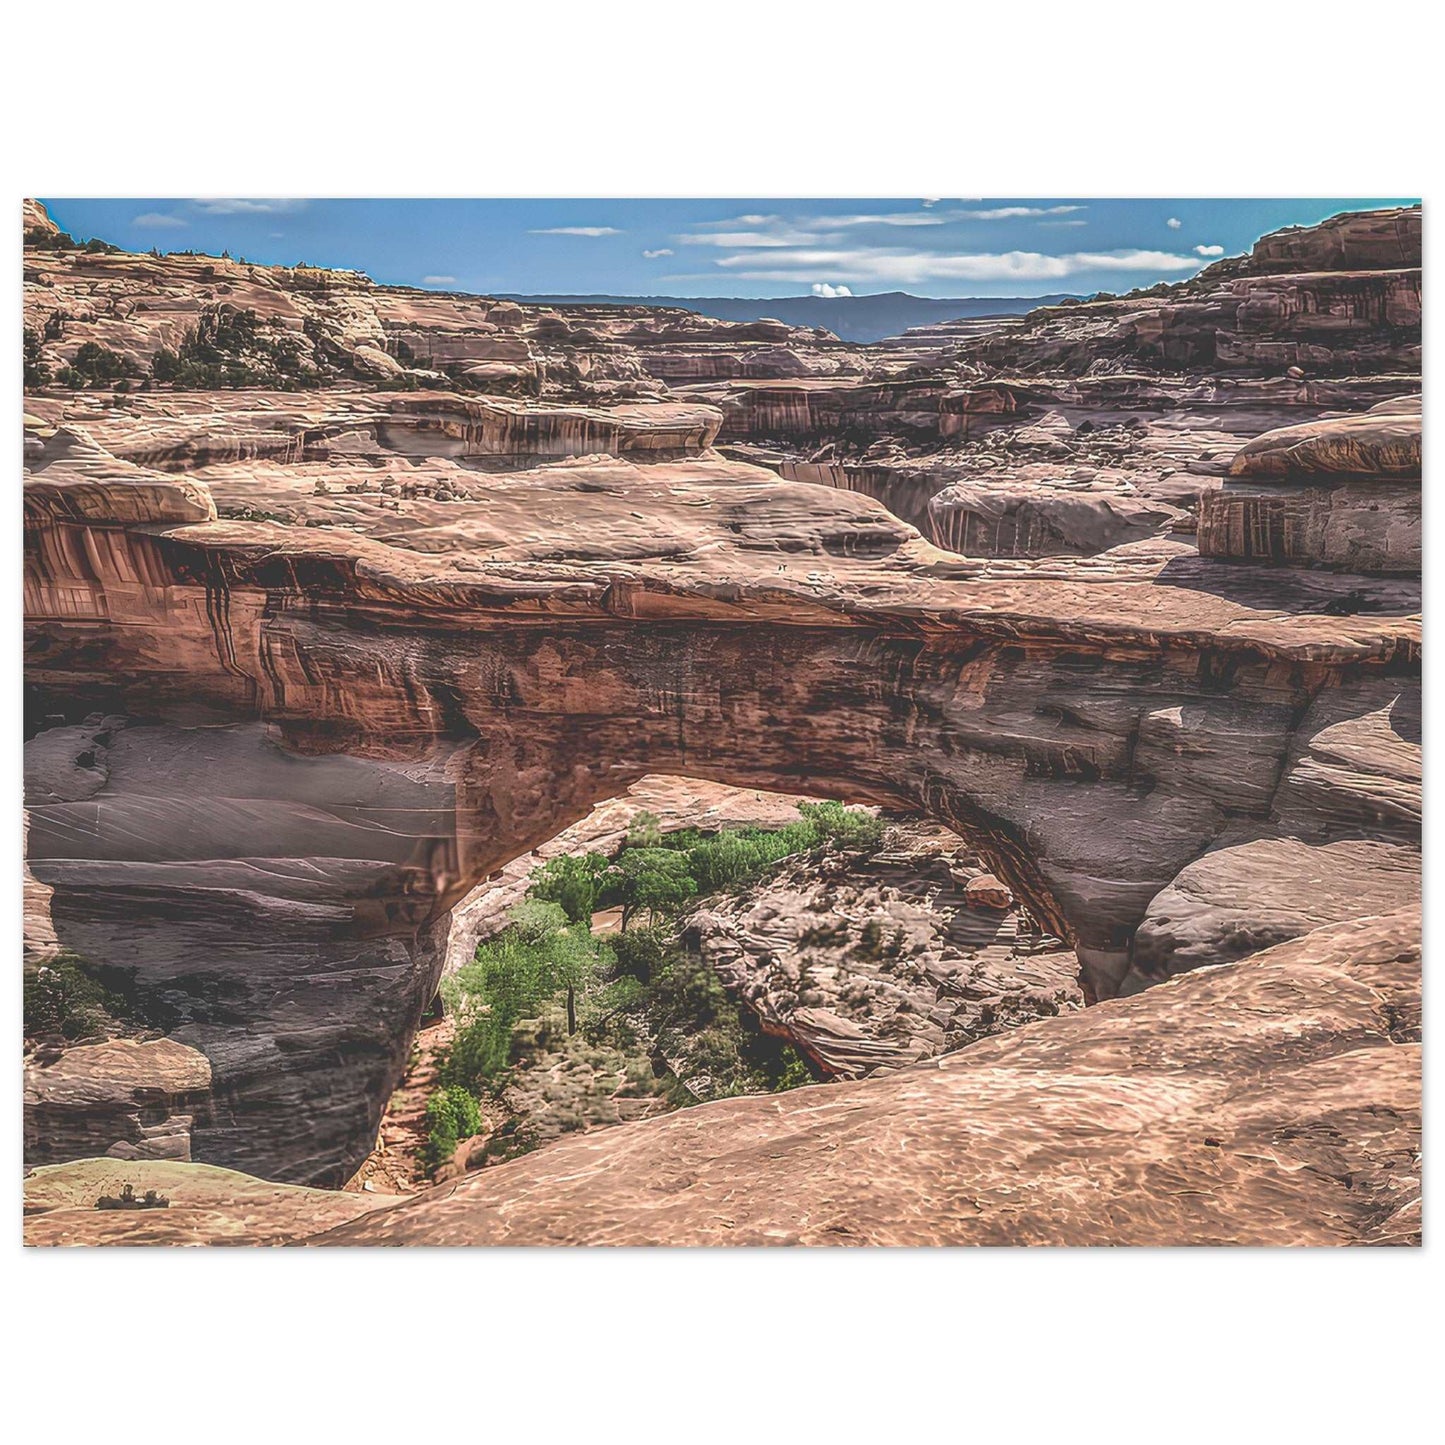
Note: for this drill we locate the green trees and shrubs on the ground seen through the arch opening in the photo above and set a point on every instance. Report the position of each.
(560, 1028)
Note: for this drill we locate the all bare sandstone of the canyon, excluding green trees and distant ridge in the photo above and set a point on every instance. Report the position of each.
(350, 608)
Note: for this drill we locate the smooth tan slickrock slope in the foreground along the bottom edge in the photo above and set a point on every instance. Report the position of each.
(1272, 1102)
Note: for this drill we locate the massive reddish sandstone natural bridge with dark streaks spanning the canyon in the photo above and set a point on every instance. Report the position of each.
(326, 736)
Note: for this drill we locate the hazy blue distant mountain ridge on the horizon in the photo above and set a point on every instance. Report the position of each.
(850, 319)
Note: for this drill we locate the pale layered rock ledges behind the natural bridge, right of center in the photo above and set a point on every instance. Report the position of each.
(1069, 467)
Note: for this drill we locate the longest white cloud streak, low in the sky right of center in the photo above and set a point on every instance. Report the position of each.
(913, 268)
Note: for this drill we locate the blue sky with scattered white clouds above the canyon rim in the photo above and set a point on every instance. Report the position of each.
(700, 248)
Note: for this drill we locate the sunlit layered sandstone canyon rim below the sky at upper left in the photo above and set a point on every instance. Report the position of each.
(346, 329)
